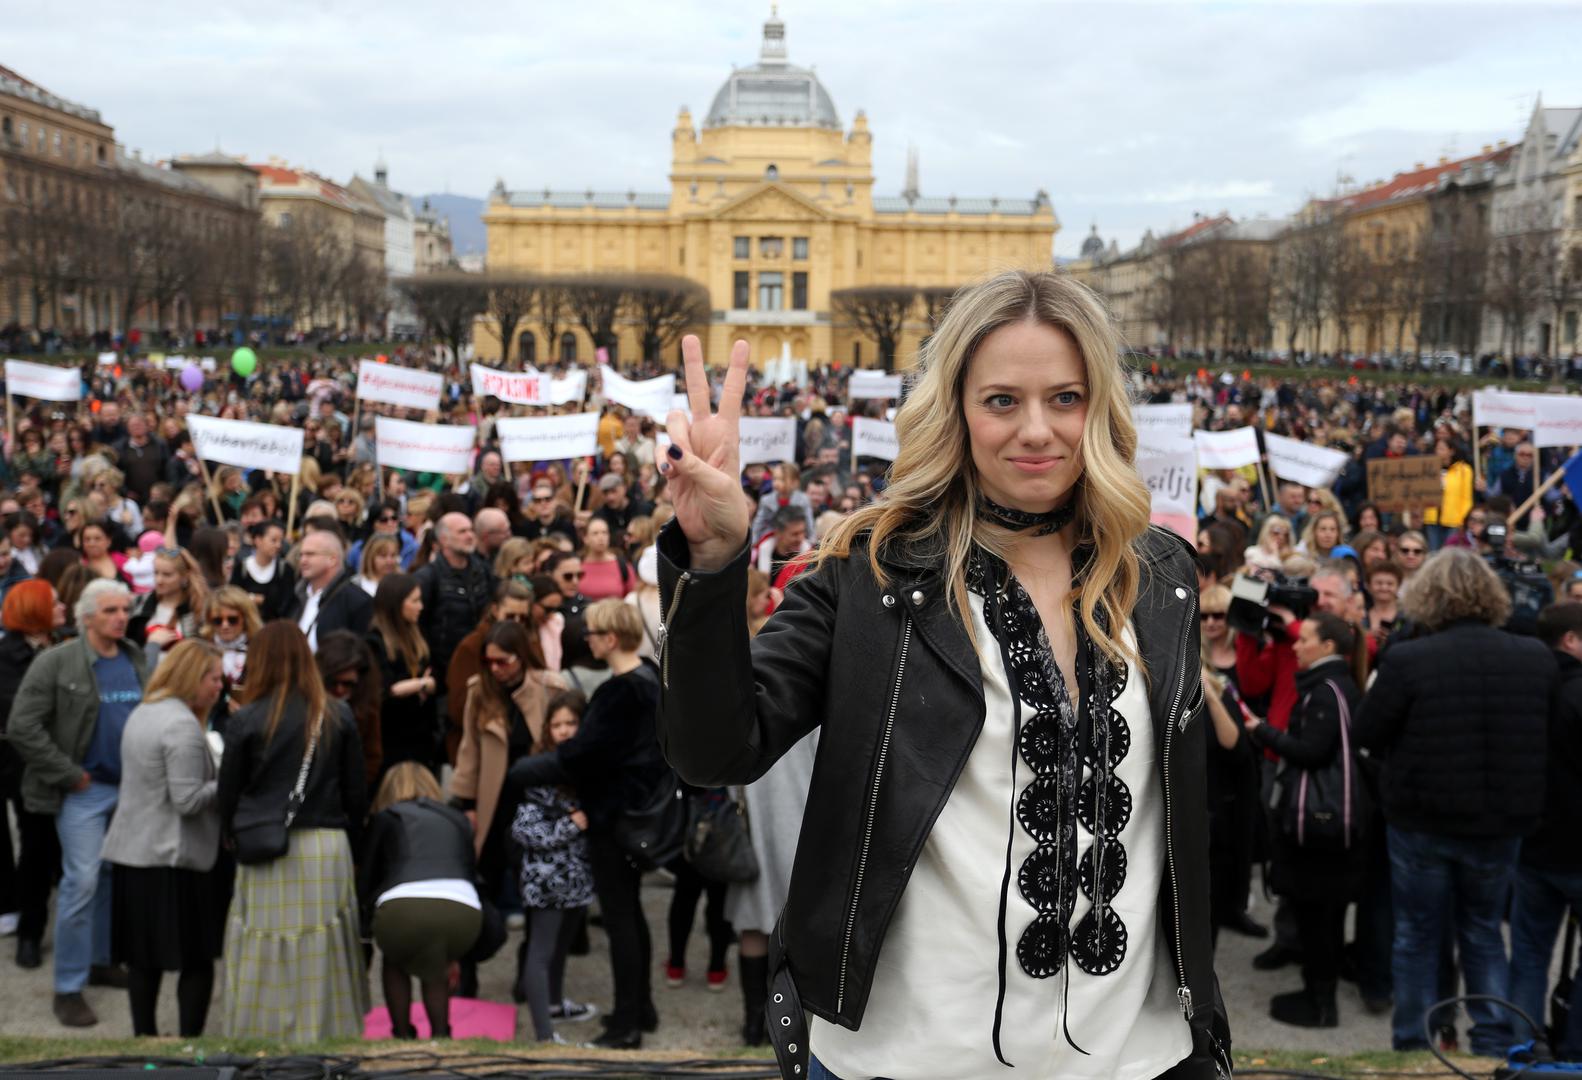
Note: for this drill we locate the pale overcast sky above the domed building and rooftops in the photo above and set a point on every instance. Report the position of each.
(1130, 116)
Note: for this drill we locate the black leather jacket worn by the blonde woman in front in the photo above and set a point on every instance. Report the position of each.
(895, 673)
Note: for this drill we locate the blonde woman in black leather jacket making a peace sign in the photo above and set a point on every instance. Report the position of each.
(1012, 551)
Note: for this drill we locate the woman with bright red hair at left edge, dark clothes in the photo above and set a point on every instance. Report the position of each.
(32, 614)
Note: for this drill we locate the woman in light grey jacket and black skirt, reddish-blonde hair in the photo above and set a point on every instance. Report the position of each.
(168, 908)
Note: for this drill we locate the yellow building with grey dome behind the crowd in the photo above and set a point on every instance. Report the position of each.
(771, 208)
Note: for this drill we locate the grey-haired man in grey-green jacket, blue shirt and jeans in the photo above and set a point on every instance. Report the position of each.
(67, 725)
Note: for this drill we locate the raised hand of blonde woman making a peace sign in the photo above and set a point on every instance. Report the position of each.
(705, 463)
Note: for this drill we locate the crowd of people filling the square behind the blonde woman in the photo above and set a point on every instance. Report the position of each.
(430, 703)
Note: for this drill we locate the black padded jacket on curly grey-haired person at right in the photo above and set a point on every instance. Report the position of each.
(1461, 717)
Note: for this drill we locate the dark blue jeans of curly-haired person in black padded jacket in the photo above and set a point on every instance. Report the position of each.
(1429, 874)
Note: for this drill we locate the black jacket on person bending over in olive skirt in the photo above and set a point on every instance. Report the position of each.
(415, 840)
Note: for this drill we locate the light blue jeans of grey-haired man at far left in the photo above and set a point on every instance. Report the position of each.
(83, 902)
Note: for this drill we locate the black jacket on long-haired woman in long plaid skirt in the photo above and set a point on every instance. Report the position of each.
(257, 774)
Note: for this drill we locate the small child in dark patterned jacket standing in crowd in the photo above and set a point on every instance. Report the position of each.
(558, 880)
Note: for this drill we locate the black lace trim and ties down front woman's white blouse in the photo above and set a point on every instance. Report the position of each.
(1073, 757)
